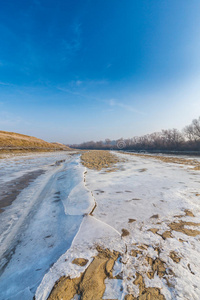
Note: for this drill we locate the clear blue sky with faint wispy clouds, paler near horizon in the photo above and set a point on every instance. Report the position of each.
(79, 70)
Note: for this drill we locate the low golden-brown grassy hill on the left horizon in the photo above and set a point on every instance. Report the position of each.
(11, 141)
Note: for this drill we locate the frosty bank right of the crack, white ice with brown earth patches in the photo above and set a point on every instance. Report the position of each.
(147, 210)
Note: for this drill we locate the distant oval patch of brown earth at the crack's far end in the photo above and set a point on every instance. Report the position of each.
(99, 159)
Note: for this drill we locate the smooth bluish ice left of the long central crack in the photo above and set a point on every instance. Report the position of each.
(38, 227)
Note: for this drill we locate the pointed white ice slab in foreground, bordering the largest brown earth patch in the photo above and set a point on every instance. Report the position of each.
(92, 232)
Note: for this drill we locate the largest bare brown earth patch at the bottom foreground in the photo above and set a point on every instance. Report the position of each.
(90, 285)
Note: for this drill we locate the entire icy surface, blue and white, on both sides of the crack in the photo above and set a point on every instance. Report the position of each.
(51, 217)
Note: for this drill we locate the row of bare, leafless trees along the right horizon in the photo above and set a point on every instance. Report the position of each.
(187, 139)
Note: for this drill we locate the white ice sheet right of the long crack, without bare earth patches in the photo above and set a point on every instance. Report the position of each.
(152, 194)
